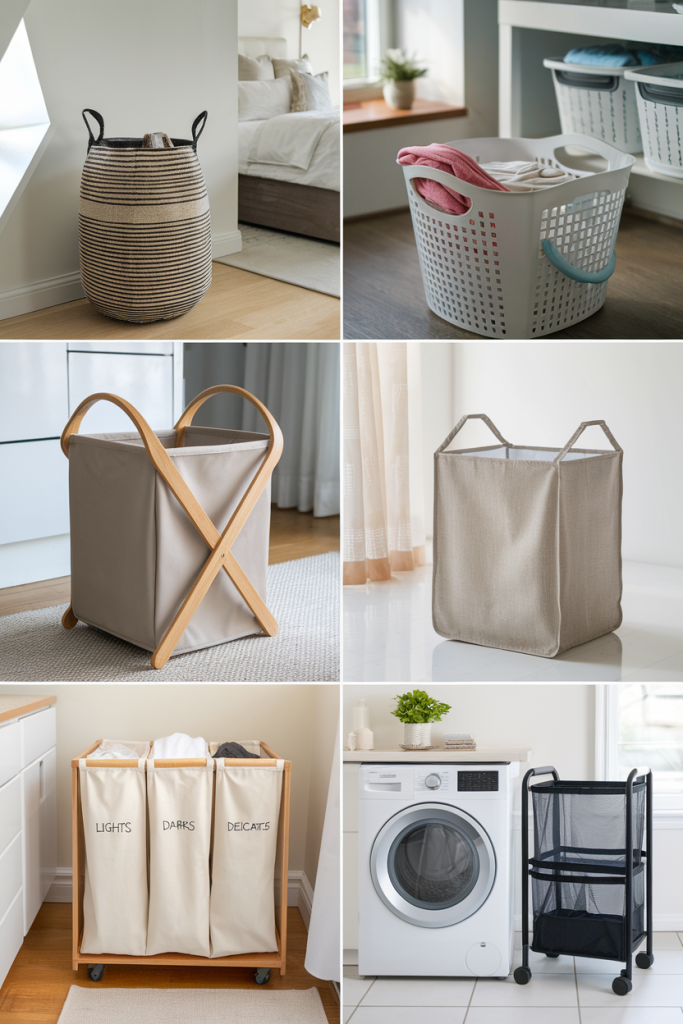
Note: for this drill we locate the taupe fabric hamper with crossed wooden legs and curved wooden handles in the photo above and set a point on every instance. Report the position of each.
(146, 506)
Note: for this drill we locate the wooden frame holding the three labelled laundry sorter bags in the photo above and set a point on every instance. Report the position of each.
(269, 961)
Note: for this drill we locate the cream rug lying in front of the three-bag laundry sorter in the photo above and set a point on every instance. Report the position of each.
(187, 1006)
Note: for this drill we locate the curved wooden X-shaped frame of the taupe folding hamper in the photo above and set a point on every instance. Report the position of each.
(220, 544)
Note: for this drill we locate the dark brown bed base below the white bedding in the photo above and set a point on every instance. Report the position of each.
(288, 206)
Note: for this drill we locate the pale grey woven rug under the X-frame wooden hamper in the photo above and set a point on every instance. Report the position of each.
(304, 596)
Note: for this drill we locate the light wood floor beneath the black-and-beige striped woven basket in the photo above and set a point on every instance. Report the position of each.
(239, 305)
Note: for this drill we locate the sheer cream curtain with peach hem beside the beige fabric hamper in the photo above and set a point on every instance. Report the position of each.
(383, 487)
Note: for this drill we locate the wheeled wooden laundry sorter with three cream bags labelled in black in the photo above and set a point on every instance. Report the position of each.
(123, 914)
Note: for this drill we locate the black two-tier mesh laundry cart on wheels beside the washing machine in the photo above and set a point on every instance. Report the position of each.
(591, 879)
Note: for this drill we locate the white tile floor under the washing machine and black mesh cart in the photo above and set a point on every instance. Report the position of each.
(568, 991)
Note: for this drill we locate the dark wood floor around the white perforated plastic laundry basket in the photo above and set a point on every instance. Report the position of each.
(385, 297)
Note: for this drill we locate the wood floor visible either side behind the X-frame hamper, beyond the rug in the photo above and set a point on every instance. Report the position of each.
(293, 535)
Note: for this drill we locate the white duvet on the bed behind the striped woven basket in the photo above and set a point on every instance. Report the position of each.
(303, 148)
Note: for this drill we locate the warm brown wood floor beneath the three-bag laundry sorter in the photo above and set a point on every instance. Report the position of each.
(39, 980)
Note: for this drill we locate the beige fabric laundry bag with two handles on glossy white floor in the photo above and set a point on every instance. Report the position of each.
(528, 544)
